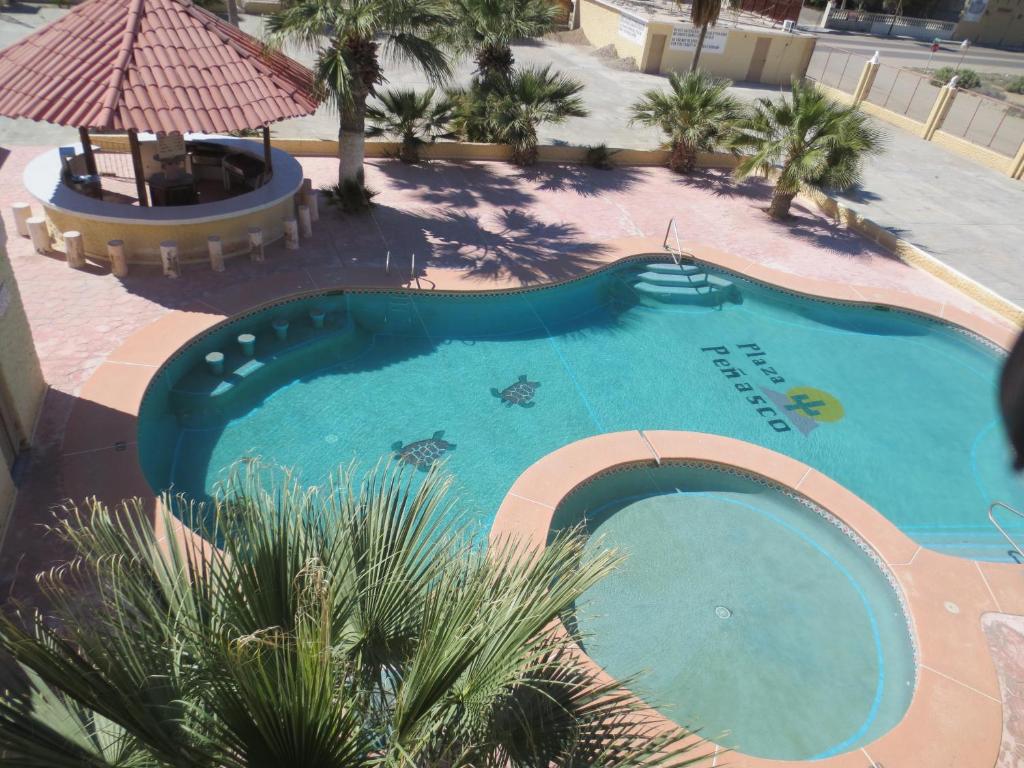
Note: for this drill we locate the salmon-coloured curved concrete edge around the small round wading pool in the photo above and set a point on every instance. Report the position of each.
(956, 715)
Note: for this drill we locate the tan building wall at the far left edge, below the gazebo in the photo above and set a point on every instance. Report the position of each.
(22, 382)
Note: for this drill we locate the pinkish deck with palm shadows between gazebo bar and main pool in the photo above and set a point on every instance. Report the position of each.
(479, 227)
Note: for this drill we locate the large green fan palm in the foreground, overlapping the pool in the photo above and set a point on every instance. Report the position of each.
(348, 627)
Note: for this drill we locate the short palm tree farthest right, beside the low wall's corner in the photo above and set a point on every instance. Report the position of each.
(809, 139)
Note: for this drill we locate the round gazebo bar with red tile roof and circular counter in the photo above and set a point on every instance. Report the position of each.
(167, 69)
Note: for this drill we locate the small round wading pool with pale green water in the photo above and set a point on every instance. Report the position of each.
(748, 612)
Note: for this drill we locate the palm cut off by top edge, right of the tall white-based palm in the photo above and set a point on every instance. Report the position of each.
(488, 28)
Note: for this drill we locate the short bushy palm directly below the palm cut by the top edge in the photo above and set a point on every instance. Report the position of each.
(511, 111)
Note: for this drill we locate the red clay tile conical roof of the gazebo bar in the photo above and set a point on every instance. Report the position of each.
(150, 66)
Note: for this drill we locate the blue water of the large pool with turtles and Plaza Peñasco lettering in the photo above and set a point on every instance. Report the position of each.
(901, 410)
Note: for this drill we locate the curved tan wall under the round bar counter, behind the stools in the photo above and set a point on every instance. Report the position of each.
(143, 241)
